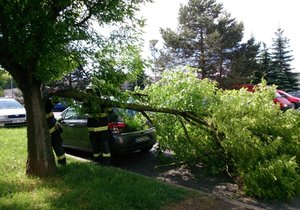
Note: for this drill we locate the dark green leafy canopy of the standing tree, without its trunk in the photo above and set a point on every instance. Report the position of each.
(51, 37)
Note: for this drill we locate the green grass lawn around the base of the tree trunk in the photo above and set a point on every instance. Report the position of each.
(78, 185)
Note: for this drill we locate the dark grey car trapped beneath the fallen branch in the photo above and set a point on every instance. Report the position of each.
(125, 138)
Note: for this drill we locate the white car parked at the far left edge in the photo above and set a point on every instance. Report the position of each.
(12, 113)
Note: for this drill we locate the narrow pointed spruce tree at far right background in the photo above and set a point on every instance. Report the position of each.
(281, 73)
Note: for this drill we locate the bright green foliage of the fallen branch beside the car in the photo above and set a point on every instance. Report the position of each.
(241, 133)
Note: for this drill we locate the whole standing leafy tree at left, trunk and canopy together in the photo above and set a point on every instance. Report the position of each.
(41, 41)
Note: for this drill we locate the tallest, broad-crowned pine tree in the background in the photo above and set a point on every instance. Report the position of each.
(205, 38)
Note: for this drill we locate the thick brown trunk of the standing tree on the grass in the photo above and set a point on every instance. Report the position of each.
(40, 161)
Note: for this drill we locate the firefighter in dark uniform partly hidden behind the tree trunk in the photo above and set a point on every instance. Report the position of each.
(54, 130)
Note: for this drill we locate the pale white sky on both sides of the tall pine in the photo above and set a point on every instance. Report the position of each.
(261, 19)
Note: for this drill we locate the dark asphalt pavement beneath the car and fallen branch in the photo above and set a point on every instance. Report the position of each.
(223, 188)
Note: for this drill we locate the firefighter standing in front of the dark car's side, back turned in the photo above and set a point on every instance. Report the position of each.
(97, 124)
